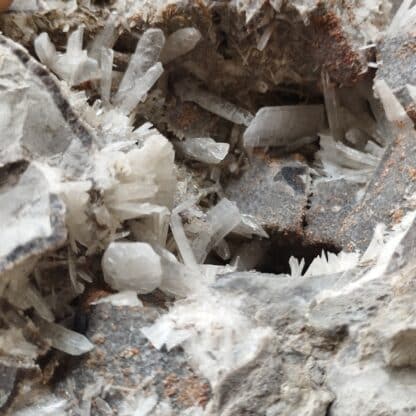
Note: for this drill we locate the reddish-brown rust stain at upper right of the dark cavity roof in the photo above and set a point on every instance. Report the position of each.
(332, 49)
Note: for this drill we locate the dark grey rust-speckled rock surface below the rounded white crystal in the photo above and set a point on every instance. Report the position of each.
(125, 359)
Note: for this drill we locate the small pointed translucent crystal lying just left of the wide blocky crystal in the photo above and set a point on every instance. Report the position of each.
(204, 149)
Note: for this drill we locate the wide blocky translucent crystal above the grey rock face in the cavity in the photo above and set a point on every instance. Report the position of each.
(281, 126)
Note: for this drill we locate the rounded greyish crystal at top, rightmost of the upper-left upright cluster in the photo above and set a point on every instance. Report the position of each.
(179, 43)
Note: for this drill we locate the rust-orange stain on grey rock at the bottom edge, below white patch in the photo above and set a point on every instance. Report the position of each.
(188, 391)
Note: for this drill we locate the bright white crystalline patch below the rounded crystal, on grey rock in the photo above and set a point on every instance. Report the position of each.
(209, 323)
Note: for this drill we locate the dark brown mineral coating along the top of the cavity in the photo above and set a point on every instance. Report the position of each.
(227, 59)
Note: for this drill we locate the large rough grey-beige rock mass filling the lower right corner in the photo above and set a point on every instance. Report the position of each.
(340, 349)
